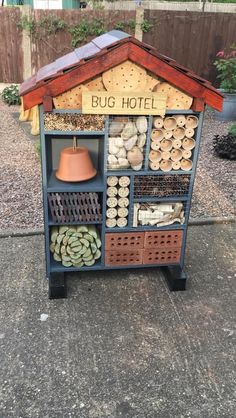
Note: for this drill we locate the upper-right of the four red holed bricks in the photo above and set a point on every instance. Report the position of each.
(160, 239)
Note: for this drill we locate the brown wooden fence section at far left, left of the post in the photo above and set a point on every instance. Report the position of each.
(11, 62)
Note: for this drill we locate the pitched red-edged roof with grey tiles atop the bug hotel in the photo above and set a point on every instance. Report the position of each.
(105, 52)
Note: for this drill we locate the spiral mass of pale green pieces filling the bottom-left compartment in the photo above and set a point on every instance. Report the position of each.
(75, 245)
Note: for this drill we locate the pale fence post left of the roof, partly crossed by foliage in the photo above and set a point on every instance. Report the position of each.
(26, 44)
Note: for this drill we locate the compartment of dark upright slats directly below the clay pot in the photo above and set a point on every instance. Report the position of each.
(75, 207)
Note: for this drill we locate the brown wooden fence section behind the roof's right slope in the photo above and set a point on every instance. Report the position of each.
(191, 38)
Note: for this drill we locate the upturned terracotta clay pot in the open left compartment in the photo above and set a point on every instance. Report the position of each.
(75, 165)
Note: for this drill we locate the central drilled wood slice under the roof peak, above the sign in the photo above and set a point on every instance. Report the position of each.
(126, 76)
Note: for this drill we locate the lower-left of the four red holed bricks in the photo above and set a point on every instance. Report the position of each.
(123, 257)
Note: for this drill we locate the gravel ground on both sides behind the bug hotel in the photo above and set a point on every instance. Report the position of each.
(20, 187)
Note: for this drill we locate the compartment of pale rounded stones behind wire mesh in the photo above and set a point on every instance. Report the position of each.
(126, 143)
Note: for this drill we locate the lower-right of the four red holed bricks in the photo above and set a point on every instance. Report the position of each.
(161, 255)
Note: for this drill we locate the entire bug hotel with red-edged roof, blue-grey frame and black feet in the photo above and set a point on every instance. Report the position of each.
(120, 133)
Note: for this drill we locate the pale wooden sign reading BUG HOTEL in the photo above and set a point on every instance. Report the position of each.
(119, 103)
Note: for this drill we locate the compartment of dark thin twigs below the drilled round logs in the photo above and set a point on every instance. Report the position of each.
(162, 185)
